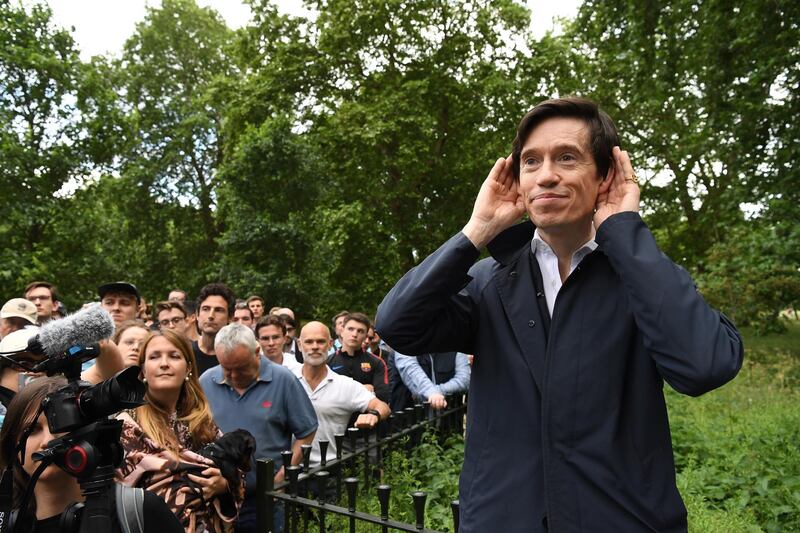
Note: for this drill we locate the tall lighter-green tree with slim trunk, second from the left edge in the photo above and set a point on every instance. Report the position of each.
(170, 69)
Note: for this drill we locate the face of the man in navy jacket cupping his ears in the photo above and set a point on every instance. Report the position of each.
(558, 178)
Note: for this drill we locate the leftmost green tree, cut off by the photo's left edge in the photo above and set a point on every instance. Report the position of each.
(41, 133)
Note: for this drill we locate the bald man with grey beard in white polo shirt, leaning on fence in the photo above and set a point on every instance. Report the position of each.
(335, 397)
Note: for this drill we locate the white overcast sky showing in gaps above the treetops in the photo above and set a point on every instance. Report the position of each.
(102, 26)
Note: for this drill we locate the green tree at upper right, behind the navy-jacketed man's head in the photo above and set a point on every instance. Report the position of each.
(692, 86)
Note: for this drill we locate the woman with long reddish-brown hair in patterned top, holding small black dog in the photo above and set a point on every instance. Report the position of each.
(162, 438)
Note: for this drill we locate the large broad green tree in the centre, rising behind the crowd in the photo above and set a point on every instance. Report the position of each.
(400, 113)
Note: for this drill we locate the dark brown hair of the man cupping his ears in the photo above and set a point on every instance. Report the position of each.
(602, 134)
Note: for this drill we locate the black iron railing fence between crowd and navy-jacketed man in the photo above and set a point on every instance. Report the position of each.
(313, 497)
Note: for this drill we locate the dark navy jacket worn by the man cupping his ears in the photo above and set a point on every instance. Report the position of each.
(567, 426)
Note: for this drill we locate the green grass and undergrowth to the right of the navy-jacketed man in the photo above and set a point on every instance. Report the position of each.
(737, 449)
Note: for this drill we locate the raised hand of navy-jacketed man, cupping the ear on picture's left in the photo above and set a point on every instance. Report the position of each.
(497, 207)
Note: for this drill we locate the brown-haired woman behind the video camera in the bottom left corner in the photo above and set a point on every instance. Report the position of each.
(23, 435)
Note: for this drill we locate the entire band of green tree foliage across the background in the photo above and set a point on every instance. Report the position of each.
(313, 161)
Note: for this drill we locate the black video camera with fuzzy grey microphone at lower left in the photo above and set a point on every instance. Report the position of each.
(91, 449)
